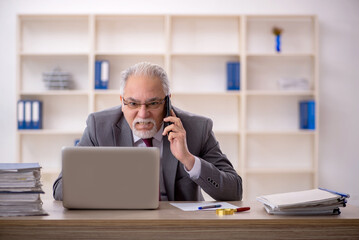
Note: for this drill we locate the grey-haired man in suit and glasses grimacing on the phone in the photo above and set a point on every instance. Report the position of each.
(190, 155)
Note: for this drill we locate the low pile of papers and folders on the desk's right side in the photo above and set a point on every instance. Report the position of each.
(310, 202)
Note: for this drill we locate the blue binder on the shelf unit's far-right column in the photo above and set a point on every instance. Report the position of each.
(307, 114)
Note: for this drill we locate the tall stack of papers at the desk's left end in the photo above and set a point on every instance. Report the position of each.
(20, 189)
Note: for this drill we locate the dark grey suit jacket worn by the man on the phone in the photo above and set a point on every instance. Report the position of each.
(217, 178)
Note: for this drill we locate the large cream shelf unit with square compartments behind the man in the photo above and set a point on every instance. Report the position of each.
(257, 127)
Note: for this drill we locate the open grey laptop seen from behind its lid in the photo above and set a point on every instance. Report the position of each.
(110, 177)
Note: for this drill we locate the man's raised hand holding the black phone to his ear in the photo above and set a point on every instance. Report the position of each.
(178, 142)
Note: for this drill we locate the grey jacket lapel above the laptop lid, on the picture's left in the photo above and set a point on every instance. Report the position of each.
(122, 133)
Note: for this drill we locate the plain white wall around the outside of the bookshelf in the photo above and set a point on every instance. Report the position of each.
(339, 67)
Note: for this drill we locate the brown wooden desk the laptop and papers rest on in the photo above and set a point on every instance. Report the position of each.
(169, 222)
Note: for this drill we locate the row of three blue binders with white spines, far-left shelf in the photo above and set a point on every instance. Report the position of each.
(29, 114)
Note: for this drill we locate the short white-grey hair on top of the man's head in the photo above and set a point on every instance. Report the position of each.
(145, 69)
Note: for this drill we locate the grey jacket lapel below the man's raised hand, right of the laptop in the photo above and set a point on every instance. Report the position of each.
(169, 165)
